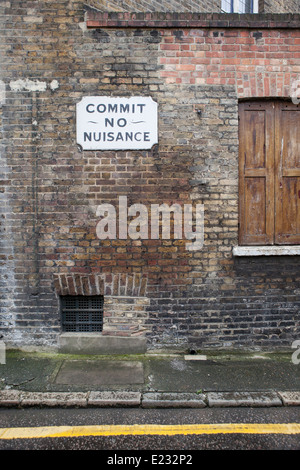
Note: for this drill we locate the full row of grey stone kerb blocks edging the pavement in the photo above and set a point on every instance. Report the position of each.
(104, 399)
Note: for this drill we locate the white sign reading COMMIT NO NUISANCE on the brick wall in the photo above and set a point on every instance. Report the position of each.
(105, 123)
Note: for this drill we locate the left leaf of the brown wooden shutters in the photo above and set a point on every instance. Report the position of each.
(256, 168)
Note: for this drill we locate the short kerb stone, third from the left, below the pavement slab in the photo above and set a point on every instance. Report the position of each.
(114, 398)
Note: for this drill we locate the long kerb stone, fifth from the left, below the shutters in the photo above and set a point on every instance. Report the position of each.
(219, 399)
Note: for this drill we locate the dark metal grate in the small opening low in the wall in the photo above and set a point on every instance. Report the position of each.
(82, 313)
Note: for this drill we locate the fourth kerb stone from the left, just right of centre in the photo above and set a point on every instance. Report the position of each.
(173, 400)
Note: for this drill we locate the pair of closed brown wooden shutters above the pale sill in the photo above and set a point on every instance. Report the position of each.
(269, 169)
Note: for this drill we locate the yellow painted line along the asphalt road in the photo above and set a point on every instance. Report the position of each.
(148, 429)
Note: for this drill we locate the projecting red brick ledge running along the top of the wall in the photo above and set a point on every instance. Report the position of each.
(97, 19)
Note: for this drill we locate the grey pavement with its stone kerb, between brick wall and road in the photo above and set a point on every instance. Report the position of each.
(153, 380)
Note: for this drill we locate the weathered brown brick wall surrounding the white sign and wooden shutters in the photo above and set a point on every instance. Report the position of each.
(51, 189)
